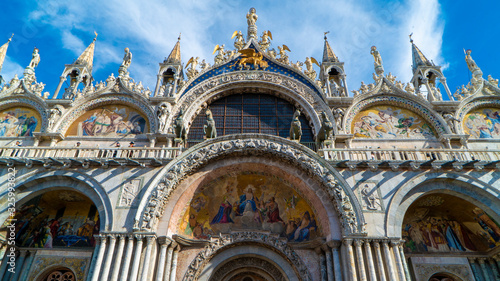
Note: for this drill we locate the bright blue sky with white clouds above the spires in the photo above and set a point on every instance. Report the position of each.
(63, 29)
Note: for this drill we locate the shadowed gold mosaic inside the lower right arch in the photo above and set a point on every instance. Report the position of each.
(445, 223)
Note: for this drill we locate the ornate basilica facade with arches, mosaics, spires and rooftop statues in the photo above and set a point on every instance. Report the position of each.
(250, 168)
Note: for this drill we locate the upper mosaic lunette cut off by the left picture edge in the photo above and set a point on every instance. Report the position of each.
(19, 122)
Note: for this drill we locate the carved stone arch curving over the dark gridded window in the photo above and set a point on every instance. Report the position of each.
(306, 97)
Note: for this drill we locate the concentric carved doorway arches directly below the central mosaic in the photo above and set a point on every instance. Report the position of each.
(230, 240)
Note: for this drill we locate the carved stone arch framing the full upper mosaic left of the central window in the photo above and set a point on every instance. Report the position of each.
(74, 113)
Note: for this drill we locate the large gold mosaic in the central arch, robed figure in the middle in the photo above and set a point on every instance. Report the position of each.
(248, 201)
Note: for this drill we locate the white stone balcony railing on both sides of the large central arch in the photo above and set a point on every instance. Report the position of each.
(344, 157)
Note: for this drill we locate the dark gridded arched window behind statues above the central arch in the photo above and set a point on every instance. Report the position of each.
(251, 113)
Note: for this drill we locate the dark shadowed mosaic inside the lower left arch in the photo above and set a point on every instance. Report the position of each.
(57, 219)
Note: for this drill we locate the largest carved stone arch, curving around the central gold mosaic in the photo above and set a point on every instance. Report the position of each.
(342, 197)
